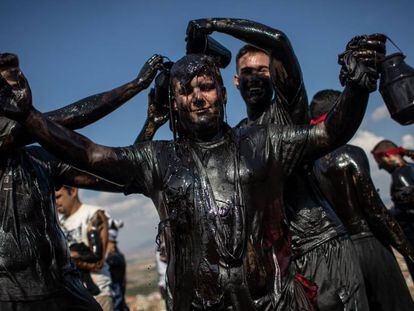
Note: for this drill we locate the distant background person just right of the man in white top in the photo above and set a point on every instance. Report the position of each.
(117, 266)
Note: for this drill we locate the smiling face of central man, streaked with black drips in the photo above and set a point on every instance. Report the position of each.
(199, 105)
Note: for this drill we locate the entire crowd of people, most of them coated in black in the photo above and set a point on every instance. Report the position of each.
(276, 213)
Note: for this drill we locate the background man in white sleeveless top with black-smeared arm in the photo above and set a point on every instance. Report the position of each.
(86, 229)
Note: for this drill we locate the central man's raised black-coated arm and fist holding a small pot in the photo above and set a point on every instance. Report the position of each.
(359, 75)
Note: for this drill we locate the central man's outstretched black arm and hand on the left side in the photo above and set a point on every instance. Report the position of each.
(64, 143)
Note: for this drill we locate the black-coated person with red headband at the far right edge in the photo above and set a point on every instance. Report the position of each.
(390, 157)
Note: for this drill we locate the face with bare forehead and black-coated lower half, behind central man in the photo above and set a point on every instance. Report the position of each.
(253, 79)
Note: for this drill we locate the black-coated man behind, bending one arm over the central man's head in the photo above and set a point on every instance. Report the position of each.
(270, 81)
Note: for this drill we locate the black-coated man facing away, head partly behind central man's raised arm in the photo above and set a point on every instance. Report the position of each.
(344, 178)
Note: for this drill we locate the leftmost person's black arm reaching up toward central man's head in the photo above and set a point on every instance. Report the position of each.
(87, 110)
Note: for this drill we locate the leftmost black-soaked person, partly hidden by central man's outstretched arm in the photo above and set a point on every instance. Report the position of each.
(36, 271)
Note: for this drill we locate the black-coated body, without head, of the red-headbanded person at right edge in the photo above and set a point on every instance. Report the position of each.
(402, 195)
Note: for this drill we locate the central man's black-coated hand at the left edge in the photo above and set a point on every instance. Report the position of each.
(15, 98)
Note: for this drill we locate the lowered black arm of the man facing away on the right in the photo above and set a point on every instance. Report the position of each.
(381, 222)
